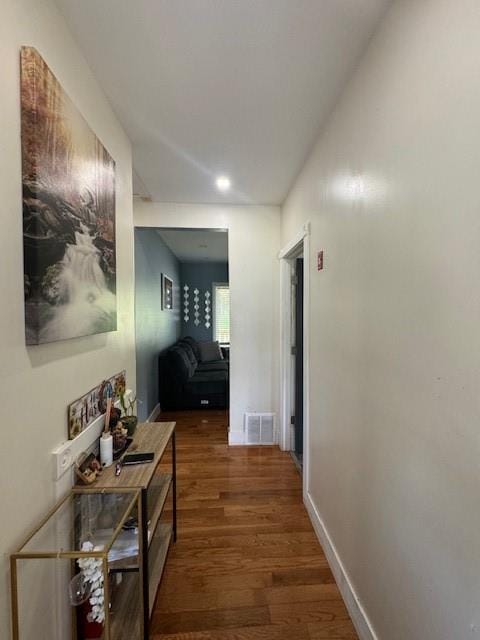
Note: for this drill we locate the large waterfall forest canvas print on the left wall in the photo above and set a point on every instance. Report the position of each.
(68, 214)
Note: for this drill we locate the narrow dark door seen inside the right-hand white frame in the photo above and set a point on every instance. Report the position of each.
(299, 356)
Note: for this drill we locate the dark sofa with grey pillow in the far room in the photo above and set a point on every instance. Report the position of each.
(185, 382)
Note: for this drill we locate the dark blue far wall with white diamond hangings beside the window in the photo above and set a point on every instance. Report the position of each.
(200, 275)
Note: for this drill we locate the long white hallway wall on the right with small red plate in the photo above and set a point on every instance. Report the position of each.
(391, 189)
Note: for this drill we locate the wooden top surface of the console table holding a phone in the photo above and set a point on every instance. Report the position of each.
(149, 437)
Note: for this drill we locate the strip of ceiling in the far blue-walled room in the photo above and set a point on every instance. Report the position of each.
(196, 245)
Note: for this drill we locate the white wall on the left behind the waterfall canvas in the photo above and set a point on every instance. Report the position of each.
(38, 382)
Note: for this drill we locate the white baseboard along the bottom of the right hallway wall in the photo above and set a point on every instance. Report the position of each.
(358, 614)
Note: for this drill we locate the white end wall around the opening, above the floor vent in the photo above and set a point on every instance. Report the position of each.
(253, 241)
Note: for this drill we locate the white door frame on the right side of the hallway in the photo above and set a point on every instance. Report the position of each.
(300, 243)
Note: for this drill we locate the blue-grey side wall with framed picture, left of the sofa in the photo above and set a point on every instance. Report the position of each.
(155, 329)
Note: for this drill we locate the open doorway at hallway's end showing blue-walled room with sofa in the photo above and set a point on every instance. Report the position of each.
(182, 321)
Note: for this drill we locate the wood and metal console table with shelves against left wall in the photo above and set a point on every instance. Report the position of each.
(128, 521)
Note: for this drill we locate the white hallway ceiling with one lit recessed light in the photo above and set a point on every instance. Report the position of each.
(209, 87)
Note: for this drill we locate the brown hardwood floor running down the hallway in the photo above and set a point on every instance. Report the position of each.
(247, 564)
